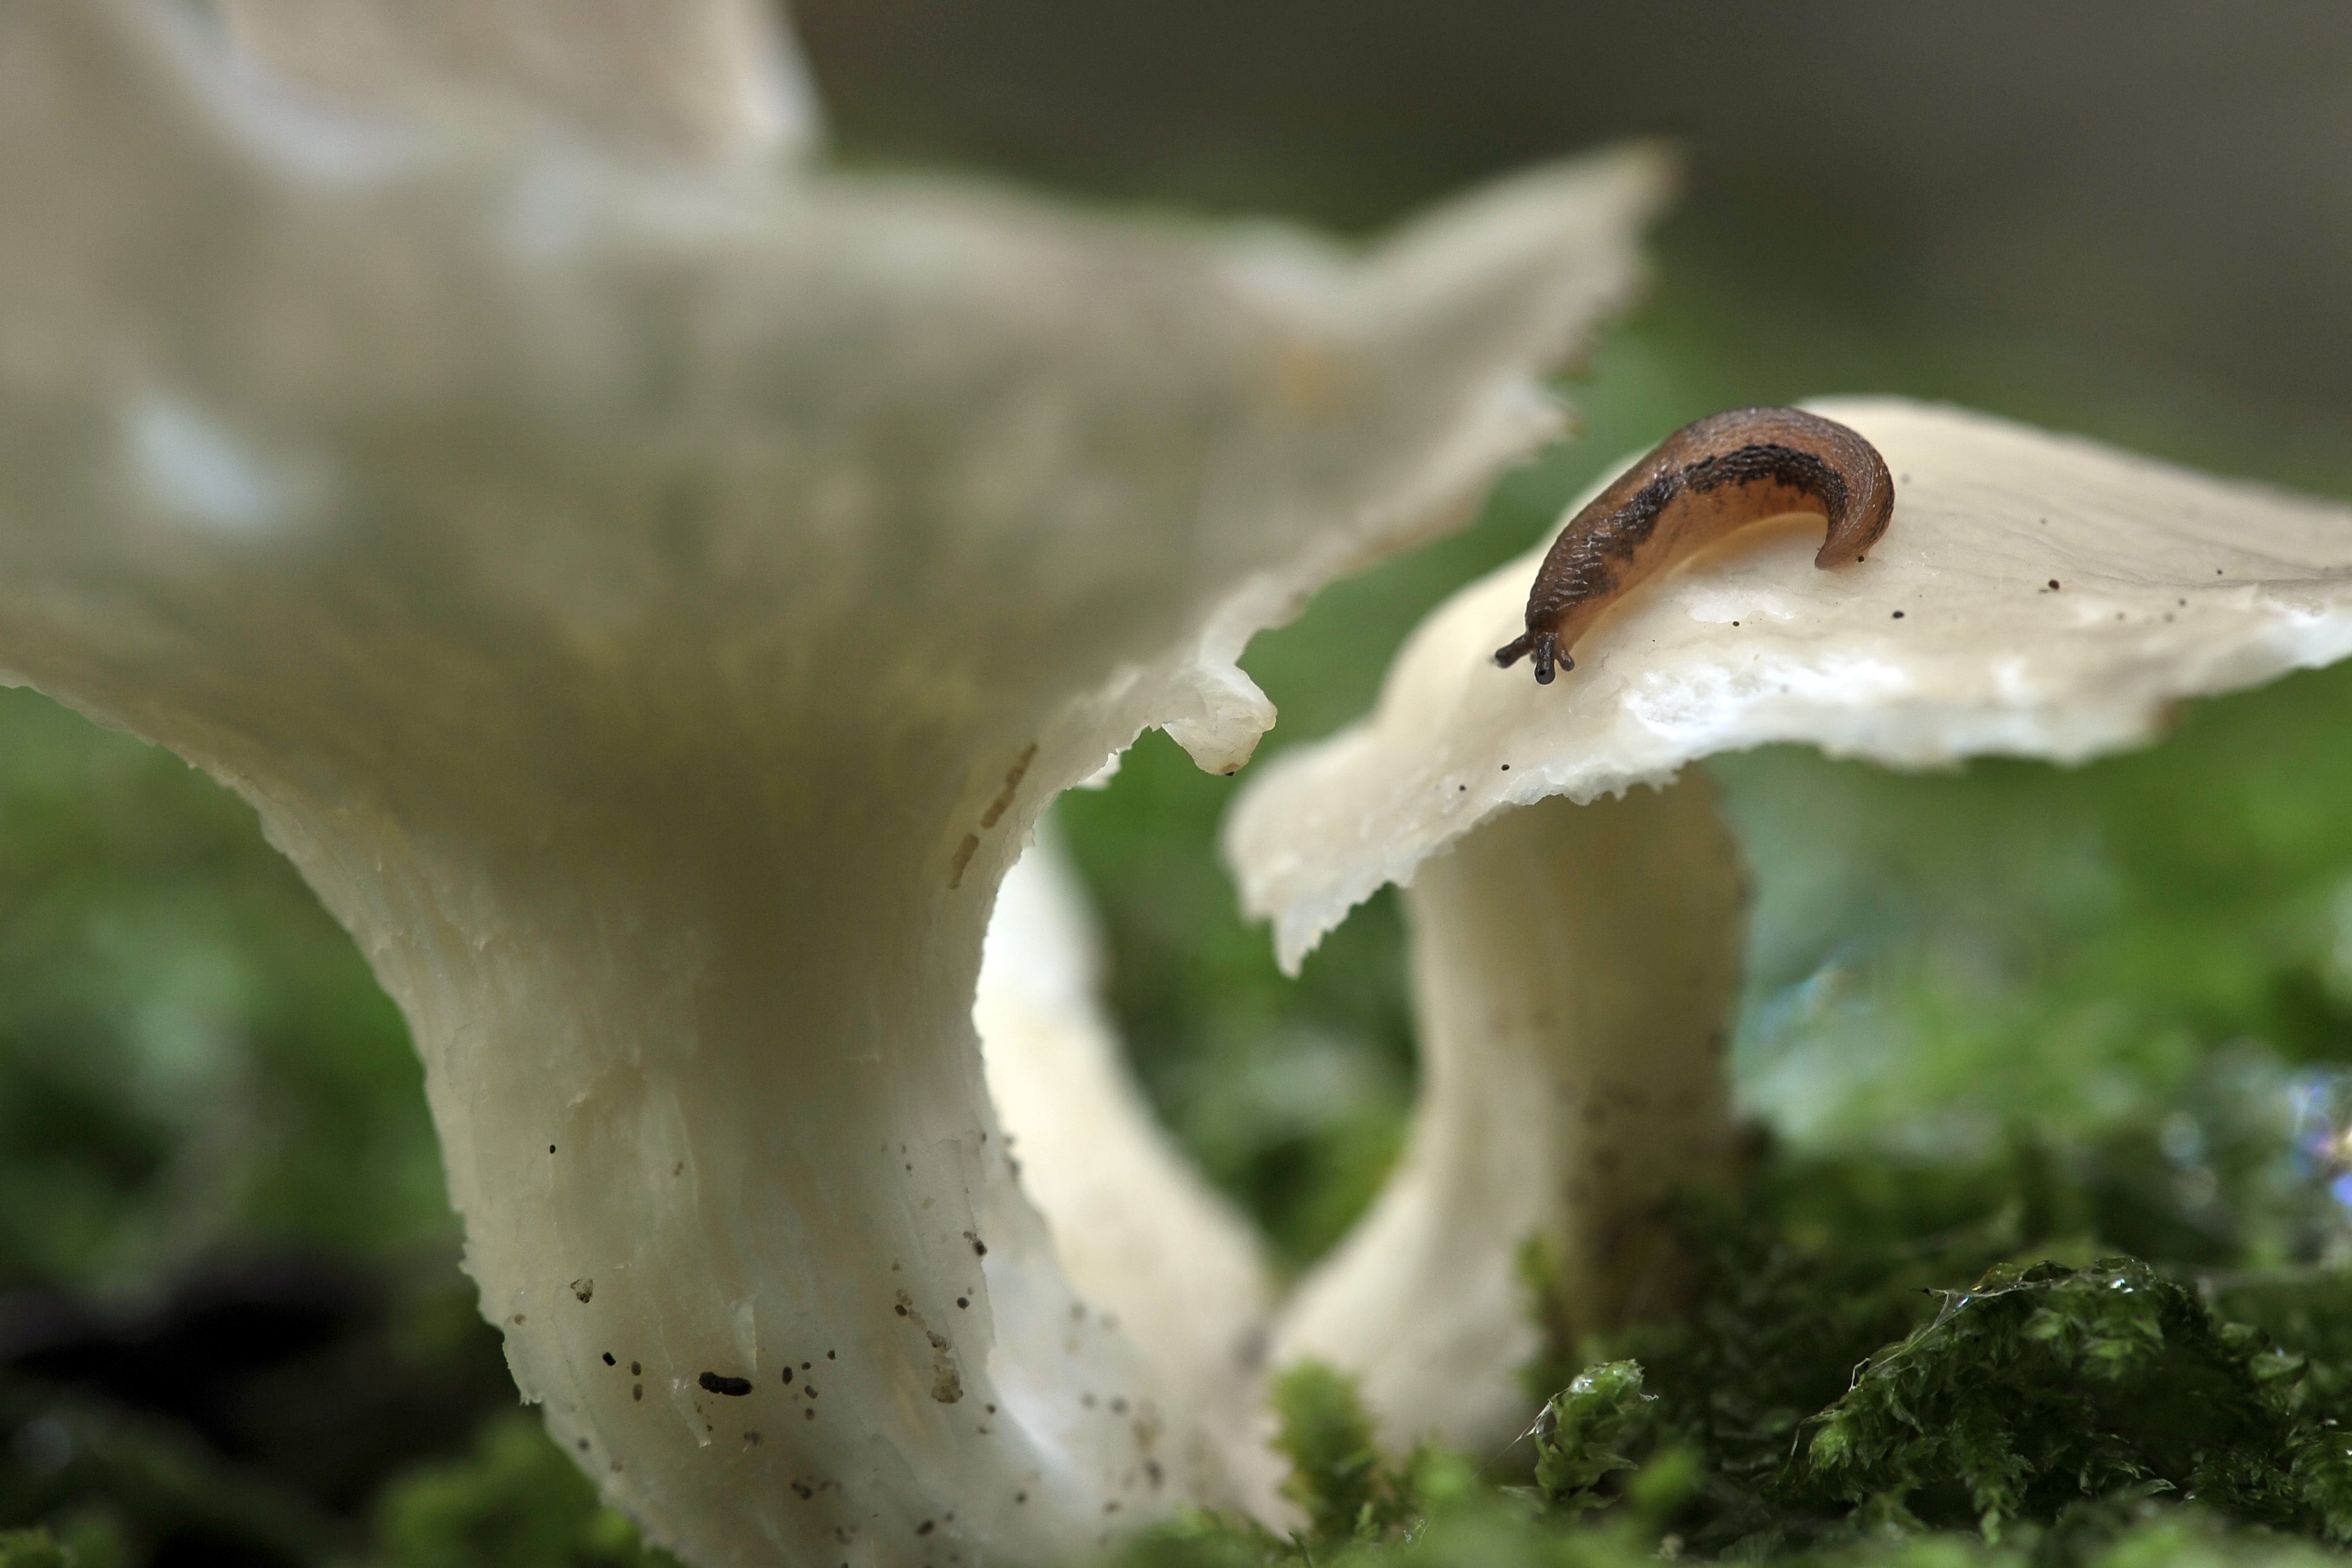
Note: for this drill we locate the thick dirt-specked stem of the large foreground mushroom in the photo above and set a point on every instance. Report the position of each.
(711, 1125)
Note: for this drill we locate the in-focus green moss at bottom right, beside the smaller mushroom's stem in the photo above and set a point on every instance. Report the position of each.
(1885, 1365)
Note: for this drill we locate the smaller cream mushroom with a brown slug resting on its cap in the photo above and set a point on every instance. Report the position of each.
(1577, 920)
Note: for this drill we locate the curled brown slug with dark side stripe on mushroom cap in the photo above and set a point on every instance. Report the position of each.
(1706, 481)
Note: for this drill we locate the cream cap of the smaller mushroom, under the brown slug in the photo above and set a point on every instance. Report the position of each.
(2036, 596)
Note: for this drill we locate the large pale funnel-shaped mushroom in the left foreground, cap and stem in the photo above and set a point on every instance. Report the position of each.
(650, 601)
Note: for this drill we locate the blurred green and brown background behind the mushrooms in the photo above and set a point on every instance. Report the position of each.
(232, 1325)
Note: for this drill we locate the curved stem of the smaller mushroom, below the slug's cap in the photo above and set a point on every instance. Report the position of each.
(1575, 970)
